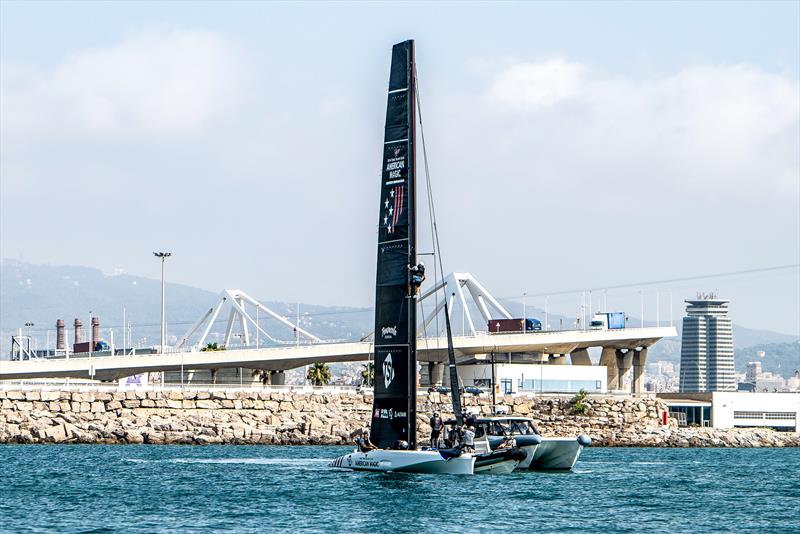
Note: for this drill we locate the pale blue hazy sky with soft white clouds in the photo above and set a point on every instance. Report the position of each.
(571, 144)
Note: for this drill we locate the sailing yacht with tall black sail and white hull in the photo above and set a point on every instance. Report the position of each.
(392, 444)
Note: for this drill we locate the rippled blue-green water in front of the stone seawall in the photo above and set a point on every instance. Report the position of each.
(246, 489)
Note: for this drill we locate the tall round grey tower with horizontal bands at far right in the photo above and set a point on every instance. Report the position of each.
(707, 346)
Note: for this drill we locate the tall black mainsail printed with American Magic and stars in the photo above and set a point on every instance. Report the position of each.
(394, 409)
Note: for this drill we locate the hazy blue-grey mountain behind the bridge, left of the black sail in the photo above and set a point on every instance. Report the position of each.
(41, 294)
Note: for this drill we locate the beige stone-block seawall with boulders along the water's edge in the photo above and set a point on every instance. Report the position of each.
(283, 417)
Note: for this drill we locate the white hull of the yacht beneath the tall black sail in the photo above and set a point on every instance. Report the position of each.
(406, 462)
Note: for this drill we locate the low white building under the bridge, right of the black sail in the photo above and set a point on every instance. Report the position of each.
(531, 378)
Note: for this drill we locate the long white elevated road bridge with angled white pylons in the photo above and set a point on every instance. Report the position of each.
(621, 348)
